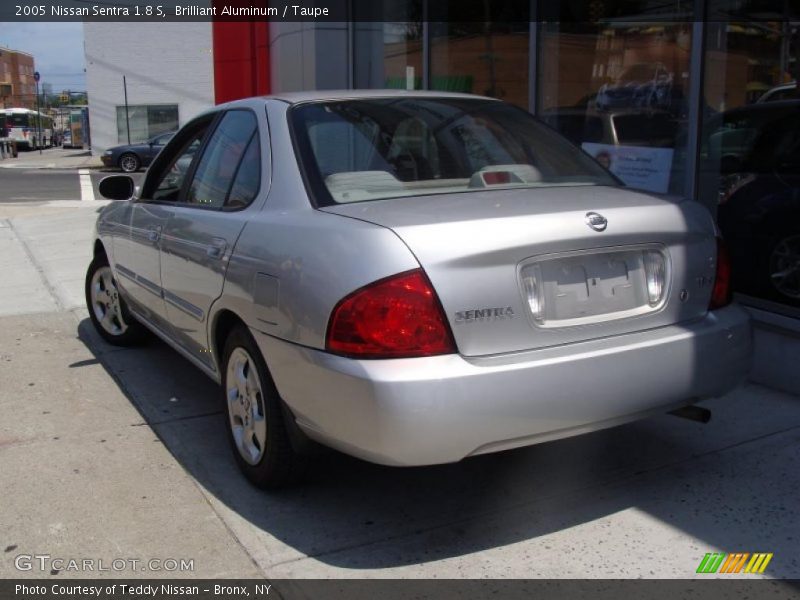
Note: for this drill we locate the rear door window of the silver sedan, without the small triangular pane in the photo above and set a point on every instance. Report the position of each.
(221, 158)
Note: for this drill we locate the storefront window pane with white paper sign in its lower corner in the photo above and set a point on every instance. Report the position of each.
(615, 81)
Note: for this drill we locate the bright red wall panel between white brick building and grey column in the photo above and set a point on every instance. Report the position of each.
(241, 59)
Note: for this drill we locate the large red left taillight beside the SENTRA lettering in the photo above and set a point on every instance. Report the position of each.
(397, 317)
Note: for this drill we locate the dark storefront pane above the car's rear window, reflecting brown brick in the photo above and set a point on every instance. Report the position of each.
(487, 53)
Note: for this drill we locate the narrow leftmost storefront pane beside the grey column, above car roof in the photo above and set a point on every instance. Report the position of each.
(388, 44)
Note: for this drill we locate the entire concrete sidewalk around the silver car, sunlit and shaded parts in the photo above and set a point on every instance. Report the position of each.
(121, 453)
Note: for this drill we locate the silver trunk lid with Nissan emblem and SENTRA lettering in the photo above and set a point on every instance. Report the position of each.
(529, 268)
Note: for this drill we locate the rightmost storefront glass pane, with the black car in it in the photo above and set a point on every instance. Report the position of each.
(749, 163)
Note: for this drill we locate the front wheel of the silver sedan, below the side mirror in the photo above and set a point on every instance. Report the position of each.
(107, 309)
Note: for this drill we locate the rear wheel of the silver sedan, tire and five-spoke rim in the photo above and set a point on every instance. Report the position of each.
(254, 416)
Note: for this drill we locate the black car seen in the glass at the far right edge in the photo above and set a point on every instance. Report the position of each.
(756, 152)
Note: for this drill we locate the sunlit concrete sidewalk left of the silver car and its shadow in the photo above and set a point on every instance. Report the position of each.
(83, 476)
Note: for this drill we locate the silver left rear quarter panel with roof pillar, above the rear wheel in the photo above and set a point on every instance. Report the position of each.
(293, 263)
